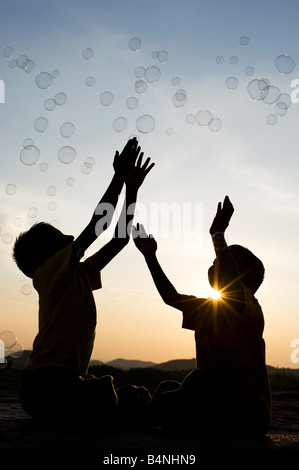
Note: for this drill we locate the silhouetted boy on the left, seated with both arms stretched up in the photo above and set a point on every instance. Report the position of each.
(55, 385)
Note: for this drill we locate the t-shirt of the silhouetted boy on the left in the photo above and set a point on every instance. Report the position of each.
(67, 312)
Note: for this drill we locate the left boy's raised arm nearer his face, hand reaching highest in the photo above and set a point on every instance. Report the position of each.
(122, 164)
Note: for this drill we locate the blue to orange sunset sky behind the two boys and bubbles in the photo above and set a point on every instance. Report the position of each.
(252, 161)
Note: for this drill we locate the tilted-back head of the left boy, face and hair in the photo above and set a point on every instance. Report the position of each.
(34, 247)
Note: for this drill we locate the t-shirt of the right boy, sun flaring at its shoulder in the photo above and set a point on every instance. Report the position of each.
(229, 343)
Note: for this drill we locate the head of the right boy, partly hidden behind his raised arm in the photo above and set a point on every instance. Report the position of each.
(251, 269)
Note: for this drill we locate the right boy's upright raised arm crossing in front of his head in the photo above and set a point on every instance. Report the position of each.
(226, 269)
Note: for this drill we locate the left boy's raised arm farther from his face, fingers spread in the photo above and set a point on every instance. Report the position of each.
(122, 231)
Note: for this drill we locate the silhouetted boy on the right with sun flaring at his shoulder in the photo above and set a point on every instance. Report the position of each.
(229, 390)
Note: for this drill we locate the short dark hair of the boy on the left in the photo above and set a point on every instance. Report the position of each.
(29, 251)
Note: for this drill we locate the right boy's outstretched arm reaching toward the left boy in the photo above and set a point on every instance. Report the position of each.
(147, 245)
